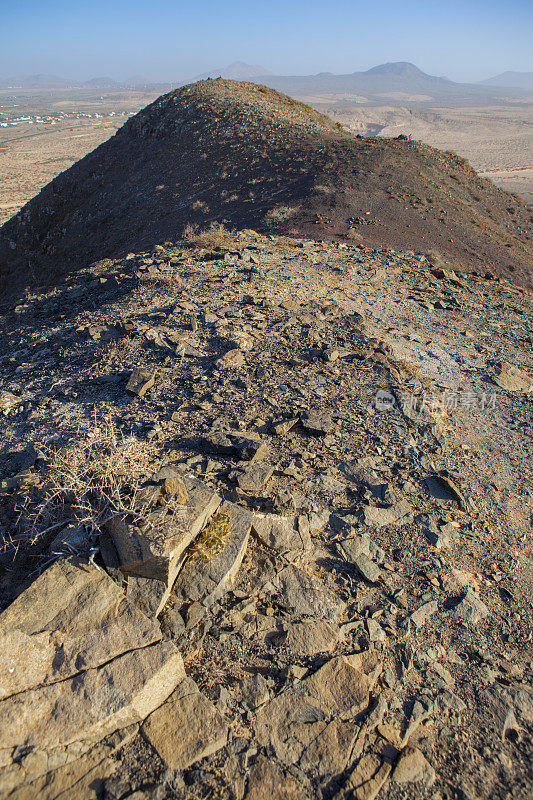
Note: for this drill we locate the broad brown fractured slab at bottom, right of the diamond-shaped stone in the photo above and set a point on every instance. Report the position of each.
(295, 723)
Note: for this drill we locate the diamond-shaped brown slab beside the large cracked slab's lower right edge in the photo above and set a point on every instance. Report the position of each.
(186, 728)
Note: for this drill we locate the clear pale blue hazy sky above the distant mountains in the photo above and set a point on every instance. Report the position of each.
(175, 40)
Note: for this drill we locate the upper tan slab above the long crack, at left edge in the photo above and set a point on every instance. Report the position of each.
(73, 617)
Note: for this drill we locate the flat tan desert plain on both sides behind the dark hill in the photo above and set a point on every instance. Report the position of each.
(55, 128)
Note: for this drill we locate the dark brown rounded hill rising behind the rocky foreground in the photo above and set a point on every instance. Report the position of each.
(237, 152)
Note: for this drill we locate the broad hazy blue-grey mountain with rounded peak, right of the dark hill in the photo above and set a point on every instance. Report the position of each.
(396, 81)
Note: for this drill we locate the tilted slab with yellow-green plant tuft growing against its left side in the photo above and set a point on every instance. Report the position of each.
(212, 566)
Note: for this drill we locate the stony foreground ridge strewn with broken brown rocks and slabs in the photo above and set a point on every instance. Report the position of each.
(314, 579)
